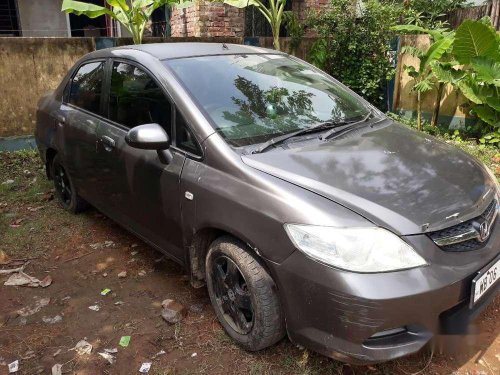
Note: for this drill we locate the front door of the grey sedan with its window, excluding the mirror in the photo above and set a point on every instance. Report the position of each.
(140, 192)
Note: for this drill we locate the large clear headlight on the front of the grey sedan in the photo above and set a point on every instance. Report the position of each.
(366, 250)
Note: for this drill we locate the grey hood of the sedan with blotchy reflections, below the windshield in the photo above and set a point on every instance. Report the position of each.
(396, 177)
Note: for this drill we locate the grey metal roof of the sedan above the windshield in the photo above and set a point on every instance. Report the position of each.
(166, 51)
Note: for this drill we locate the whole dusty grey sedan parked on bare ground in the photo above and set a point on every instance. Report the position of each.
(305, 210)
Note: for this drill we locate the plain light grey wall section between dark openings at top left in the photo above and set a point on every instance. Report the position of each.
(40, 18)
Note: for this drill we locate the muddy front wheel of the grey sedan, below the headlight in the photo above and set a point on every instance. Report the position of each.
(259, 321)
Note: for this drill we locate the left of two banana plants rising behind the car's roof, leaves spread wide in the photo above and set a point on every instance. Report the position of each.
(133, 14)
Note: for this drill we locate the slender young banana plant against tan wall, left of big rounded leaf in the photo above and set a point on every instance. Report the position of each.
(438, 54)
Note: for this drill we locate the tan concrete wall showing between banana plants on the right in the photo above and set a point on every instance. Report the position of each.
(405, 100)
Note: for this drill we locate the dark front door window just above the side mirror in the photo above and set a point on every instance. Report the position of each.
(136, 99)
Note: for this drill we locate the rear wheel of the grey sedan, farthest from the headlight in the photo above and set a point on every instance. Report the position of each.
(65, 190)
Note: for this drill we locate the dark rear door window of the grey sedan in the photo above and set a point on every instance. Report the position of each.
(86, 87)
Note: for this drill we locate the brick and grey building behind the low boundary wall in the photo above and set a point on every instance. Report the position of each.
(43, 18)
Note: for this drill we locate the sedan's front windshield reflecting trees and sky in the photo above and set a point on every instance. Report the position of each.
(253, 98)
